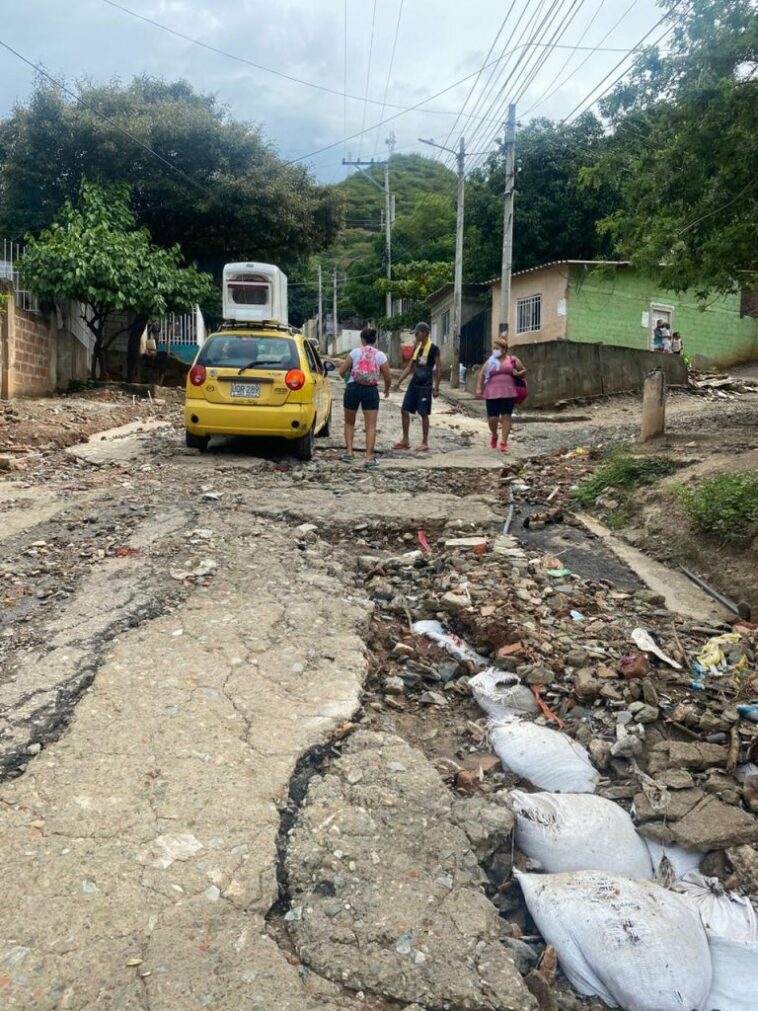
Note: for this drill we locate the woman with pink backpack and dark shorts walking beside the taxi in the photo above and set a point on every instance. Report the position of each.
(363, 369)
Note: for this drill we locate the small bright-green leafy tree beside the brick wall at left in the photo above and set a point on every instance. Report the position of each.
(96, 254)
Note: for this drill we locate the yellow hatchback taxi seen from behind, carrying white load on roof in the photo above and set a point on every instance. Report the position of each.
(258, 381)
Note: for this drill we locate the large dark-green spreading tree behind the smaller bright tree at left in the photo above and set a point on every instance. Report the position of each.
(235, 200)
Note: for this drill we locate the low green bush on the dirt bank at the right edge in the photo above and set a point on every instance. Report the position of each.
(726, 506)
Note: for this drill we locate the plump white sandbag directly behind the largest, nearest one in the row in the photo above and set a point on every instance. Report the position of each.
(579, 833)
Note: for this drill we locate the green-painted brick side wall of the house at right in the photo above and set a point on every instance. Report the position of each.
(621, 310)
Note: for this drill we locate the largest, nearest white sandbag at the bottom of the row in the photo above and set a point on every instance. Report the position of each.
(630, 943)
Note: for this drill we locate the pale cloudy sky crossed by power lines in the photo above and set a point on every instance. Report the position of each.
(439, 43)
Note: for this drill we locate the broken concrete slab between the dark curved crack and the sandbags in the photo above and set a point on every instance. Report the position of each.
(392, 887)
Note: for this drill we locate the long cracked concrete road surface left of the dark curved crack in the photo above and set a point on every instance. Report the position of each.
(152, 722)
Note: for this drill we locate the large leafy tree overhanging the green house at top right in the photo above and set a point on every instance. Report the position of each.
(686, 150)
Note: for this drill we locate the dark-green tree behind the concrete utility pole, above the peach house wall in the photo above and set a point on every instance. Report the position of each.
(555, 216)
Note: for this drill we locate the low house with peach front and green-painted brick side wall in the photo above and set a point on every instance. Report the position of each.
(611, 303)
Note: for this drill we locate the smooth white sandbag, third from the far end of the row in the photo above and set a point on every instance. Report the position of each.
(547, 759)
